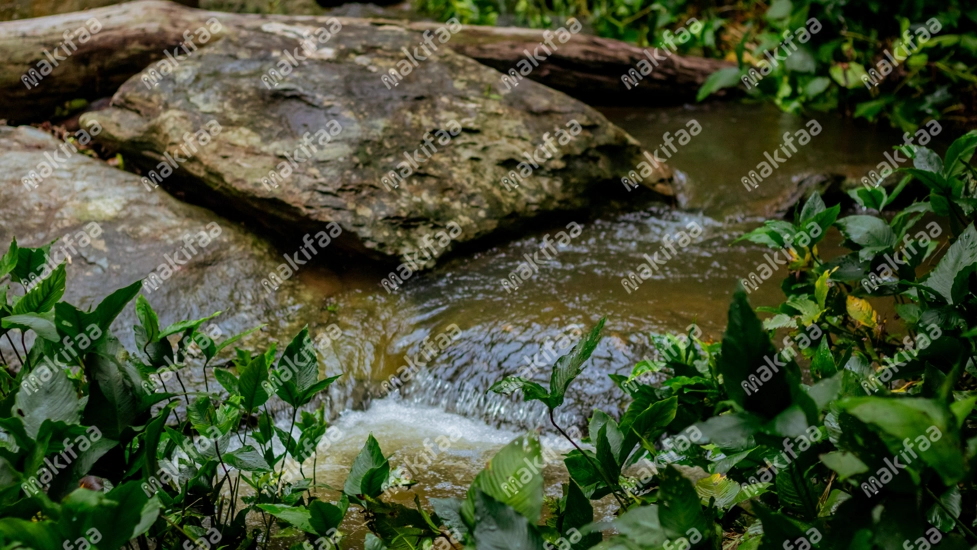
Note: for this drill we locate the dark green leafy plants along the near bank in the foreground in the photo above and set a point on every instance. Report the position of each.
(859, 433)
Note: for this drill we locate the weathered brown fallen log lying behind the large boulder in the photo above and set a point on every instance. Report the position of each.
(48, 61)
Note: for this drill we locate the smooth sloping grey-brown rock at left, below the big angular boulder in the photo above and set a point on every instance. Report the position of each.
(134, 232)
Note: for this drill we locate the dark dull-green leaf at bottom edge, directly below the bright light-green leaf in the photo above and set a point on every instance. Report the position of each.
(500, 527)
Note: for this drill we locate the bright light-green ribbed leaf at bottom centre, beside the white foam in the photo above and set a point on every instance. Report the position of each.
(502, 478)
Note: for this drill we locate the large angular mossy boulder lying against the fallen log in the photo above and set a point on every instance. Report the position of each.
(463, 133)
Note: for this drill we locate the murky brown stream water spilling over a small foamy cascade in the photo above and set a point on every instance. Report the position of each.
(478, 331)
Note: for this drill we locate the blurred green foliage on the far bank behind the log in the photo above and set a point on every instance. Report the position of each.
(824, 73)
